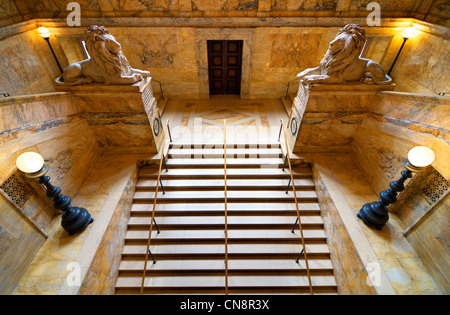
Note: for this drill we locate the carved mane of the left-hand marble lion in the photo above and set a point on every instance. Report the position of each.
(113, 65)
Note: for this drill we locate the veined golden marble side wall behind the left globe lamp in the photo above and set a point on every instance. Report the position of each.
(47, 124)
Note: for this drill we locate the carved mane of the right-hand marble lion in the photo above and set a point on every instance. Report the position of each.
(335, 64)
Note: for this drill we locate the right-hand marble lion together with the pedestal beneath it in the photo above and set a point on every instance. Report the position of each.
(333, 99)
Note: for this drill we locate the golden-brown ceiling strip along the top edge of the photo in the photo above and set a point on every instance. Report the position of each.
(434, 11)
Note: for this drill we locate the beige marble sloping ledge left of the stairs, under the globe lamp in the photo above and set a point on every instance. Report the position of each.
(62, 259)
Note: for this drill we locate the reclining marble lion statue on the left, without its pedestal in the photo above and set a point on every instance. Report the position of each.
(107, 63)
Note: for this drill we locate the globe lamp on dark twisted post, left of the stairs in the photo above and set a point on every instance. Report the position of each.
(73, 219)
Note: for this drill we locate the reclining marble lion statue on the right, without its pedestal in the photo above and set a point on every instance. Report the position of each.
(342, 62)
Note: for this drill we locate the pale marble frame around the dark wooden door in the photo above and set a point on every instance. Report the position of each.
(205, 34)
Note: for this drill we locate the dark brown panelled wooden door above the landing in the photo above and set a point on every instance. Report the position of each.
(225, 61)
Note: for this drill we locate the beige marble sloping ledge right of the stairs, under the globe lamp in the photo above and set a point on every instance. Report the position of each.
(402, 272)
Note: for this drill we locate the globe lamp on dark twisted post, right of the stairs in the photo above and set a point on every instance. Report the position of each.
(376, 214)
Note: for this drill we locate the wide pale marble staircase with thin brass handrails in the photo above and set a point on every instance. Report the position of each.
(189, 250)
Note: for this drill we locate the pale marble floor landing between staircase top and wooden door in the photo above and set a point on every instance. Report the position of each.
(202, 121)
